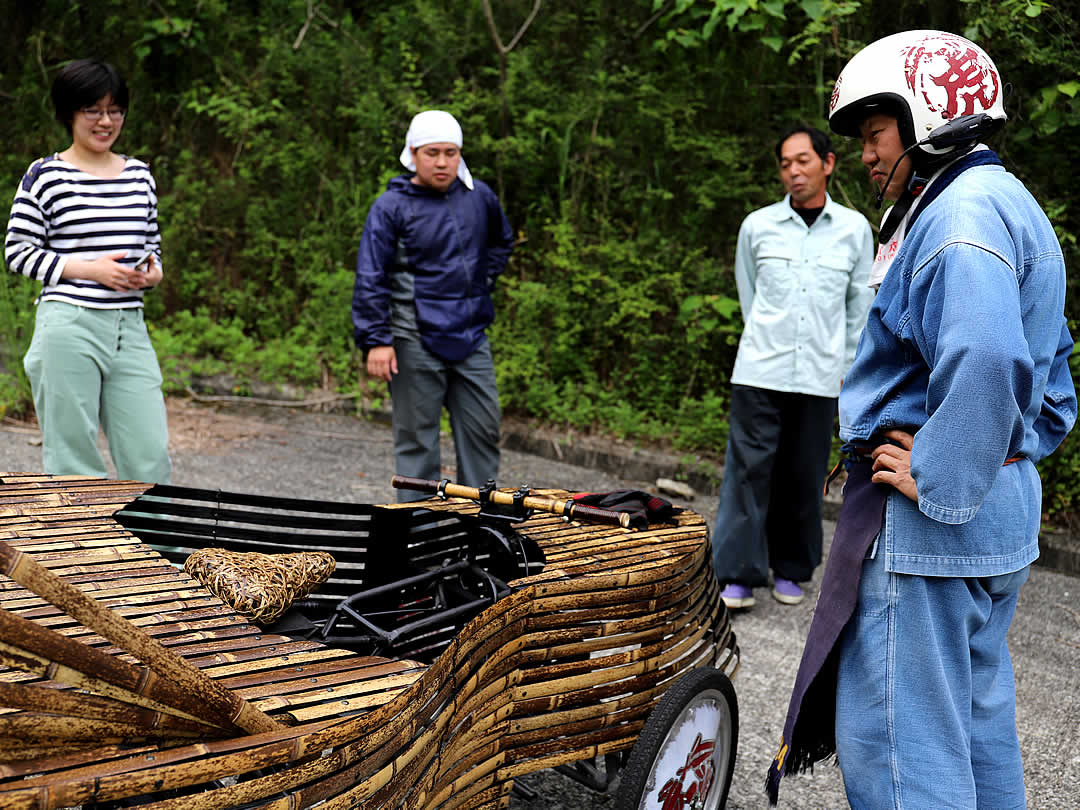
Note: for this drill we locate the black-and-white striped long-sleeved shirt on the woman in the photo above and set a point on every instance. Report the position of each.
(62, 213)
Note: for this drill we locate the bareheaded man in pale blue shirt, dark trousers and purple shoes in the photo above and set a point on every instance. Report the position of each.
(803, 268)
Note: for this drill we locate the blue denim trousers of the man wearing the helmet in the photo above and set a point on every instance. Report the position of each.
(926, 709)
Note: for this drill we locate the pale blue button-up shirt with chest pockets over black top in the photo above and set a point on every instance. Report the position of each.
(804, 295)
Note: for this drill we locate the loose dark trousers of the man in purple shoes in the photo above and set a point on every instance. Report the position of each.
(769, 510)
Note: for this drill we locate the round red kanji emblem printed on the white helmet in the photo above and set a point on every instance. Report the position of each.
(952, 76)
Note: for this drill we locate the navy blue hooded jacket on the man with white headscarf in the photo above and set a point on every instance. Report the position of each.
(454, 245)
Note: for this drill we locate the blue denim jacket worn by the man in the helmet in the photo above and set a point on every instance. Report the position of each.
(967, 347)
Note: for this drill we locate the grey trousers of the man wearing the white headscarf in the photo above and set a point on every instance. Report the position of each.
(423, 386)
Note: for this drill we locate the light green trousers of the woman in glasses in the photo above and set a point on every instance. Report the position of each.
(90, 367)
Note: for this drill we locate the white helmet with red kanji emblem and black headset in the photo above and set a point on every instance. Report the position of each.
(923, 78)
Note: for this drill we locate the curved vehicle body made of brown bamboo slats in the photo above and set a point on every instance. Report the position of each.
(564, 669)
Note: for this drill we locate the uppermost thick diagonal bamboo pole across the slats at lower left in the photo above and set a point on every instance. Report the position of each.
(163, 663)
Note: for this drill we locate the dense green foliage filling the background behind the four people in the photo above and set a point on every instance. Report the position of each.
(636, 138)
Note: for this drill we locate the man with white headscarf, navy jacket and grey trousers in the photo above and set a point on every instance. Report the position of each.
(433, 247)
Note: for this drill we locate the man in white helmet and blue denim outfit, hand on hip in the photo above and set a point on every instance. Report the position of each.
(960, 386)
